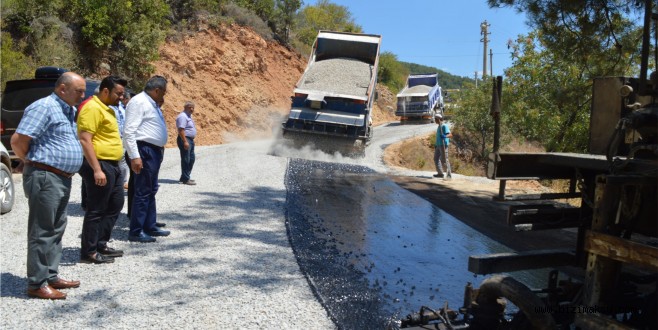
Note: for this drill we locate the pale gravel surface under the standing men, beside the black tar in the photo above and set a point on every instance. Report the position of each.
(227, 264)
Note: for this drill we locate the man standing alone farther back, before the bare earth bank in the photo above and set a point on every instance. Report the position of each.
(185, 141)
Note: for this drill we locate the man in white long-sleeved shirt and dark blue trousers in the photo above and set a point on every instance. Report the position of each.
(145, 134)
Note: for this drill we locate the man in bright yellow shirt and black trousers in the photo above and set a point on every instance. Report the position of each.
(99, 135)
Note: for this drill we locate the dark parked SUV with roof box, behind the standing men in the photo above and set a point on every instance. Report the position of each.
(18, 94)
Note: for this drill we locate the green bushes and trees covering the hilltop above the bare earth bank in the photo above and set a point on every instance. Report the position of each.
(123, 36)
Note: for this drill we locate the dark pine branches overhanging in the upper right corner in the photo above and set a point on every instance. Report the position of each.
(600, 37)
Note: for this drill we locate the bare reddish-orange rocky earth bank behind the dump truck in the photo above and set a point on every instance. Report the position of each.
(241, 84)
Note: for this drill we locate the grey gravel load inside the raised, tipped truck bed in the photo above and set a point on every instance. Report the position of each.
(338, 75)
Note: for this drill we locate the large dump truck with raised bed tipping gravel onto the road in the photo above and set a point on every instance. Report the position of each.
(334, 97)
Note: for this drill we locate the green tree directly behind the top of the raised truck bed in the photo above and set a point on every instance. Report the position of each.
(324, 16)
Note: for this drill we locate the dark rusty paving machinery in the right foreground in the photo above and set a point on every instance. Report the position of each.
(608, 279)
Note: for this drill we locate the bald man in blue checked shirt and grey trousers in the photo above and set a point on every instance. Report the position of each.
(46, 140)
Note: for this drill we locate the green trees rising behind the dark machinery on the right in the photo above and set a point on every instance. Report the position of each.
(548, 89)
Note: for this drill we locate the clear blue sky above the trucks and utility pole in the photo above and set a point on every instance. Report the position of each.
(439, 33)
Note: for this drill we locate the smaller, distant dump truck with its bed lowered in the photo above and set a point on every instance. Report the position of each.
(420, 98)
